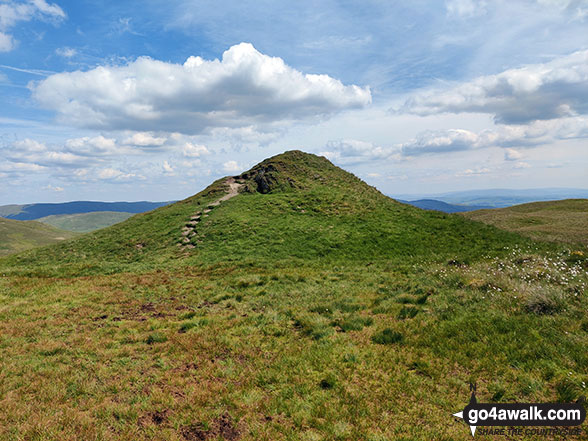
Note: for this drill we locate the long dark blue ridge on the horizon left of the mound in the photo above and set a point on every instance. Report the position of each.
(37, 211)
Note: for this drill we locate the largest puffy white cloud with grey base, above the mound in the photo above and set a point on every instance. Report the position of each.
(242, 89)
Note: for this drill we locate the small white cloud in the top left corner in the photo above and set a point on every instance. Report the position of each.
(12, 12)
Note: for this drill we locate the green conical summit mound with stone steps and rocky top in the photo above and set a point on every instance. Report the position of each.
(294, 205)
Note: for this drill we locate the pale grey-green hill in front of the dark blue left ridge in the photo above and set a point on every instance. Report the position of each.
(85, 222)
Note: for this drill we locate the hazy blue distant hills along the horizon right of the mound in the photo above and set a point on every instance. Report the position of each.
(499, 198)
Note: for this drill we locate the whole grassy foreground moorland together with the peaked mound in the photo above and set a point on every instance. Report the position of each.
(308, 306)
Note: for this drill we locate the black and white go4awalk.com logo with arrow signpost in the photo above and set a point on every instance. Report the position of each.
(515, 415)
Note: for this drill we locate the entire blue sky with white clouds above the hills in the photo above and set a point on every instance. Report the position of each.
(153, 100)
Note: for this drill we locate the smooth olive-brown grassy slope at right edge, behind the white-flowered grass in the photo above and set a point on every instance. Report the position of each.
(559, 221)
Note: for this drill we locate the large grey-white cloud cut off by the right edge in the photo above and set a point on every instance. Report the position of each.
(517, 96)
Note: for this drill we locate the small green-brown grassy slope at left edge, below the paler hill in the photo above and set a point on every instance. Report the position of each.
(18, 236)
